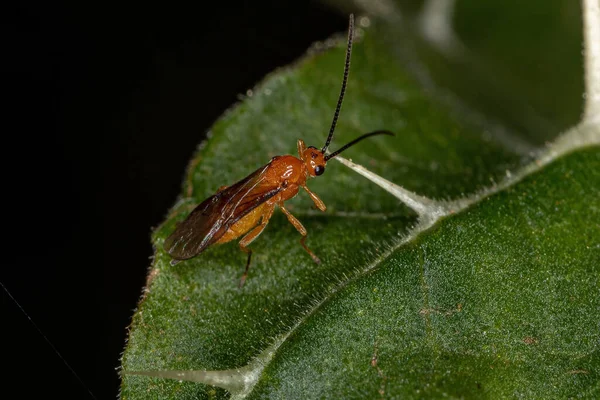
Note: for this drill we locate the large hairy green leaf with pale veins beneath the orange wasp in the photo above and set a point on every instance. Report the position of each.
(499, 298)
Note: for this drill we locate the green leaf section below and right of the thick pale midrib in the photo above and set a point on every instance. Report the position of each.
(499, 301)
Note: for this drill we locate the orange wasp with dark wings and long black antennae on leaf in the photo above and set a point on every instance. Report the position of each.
(244, 208)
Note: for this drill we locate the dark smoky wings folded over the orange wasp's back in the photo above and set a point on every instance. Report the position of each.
(211, 219)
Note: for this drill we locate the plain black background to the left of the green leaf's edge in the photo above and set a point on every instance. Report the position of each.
(106, 104)
